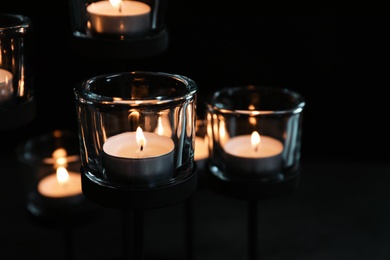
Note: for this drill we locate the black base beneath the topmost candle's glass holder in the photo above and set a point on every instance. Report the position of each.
(115, 48)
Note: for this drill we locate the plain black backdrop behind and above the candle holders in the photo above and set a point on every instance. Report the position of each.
(336, 60)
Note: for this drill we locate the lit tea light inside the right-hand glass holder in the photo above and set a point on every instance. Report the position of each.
(253, 154)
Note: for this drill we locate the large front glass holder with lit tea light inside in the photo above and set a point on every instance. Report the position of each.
(136, 129)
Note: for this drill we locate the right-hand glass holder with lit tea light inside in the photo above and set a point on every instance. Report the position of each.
(255, 133)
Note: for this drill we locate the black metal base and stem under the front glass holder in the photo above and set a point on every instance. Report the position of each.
(133, 203)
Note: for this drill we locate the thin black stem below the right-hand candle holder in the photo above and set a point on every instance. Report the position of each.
(252, 230)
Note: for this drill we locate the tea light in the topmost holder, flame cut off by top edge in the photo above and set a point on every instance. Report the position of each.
(131, 18)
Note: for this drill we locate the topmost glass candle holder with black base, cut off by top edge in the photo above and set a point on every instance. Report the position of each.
(119, 29)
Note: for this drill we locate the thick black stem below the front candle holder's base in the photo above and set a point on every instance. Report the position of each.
(133, 237)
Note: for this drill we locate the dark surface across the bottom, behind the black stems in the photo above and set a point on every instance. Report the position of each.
(339, 211)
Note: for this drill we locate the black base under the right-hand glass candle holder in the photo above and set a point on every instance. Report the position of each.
(252, 190)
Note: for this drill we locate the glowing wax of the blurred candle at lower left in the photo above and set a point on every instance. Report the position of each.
(51, 187)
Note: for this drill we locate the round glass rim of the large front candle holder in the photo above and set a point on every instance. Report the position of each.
(89, 94)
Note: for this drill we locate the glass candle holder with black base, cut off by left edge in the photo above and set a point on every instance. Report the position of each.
(17, 106)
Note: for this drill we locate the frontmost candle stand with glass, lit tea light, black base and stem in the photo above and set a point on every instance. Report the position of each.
(136, 139)
